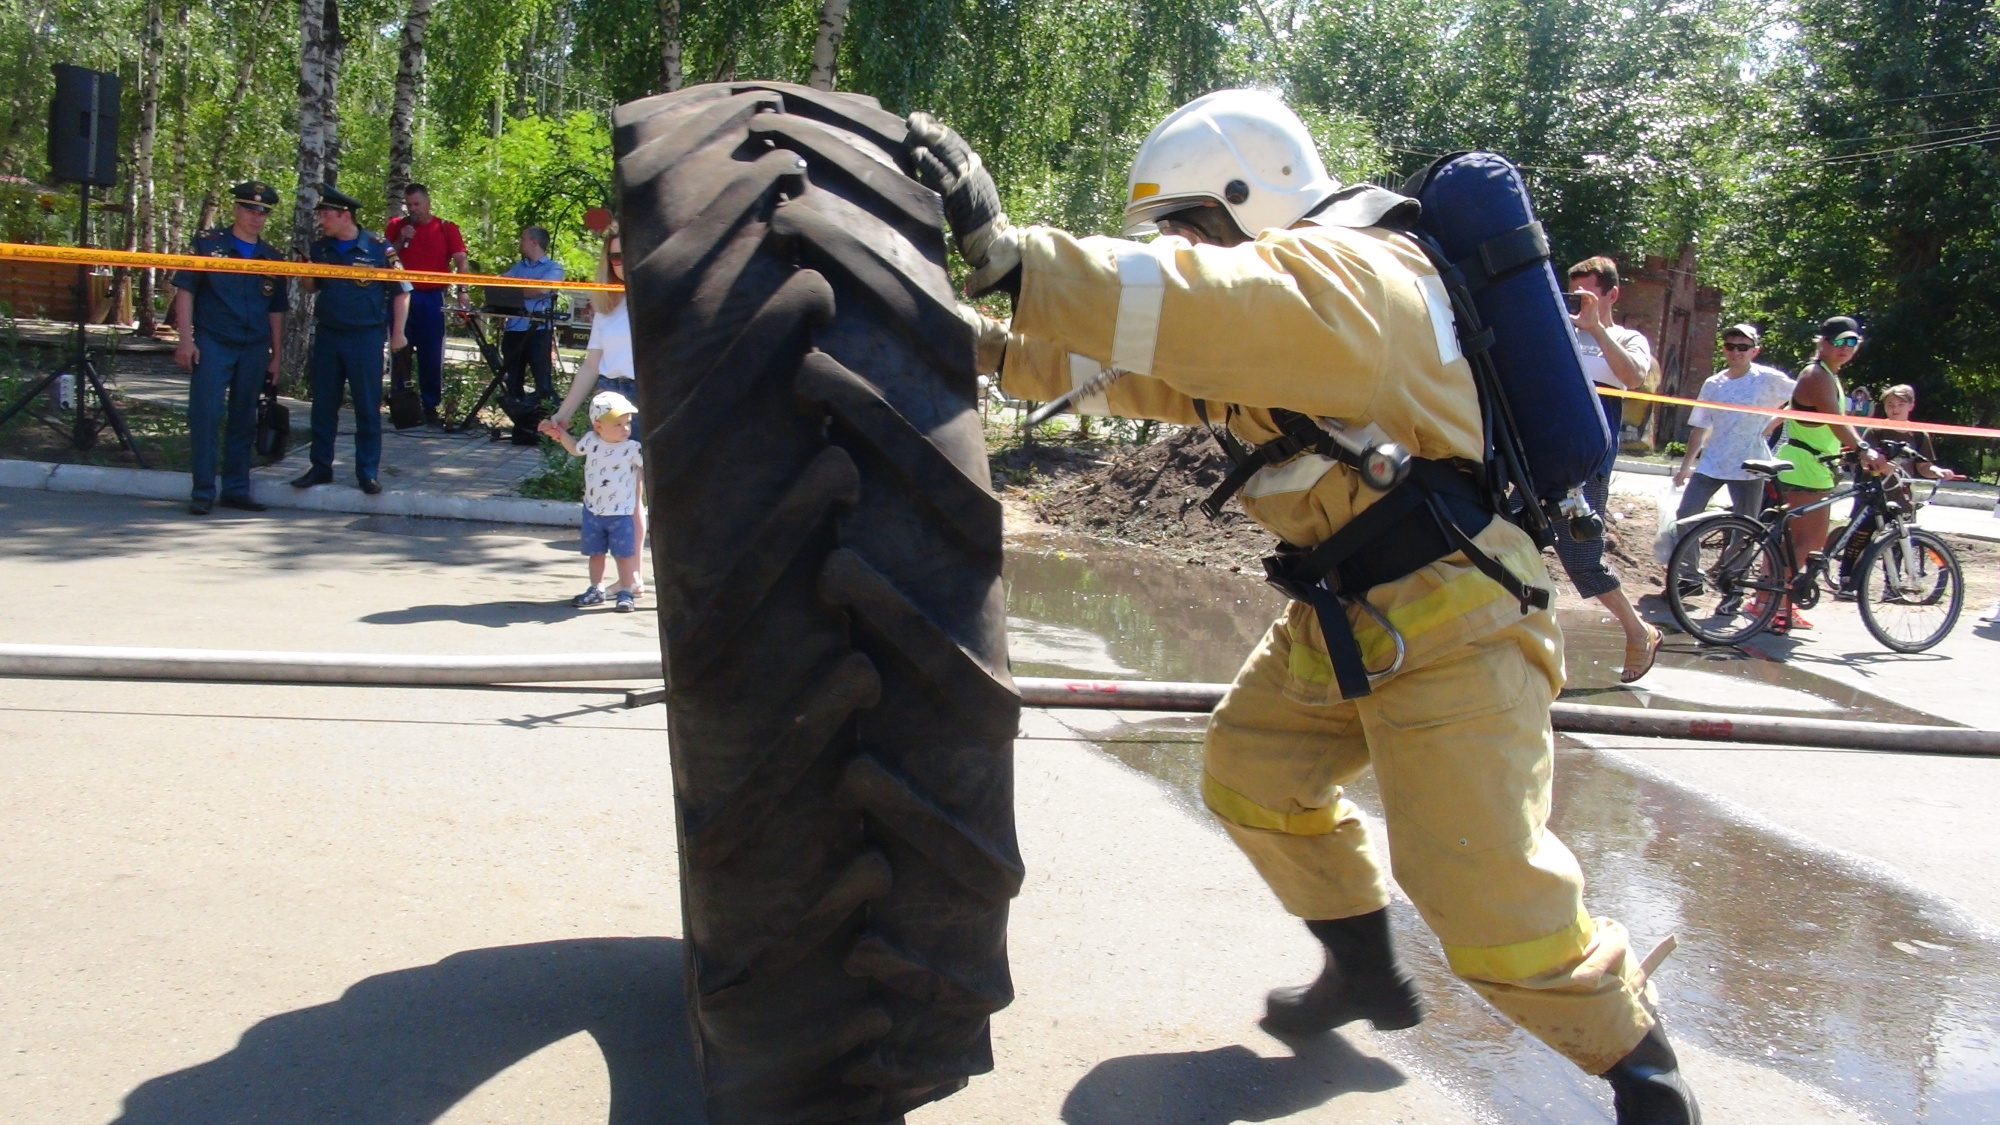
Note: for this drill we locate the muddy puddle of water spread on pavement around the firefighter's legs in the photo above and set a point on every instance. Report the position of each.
(1789, 958)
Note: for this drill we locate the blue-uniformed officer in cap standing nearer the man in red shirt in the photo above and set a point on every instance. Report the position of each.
(347, 345)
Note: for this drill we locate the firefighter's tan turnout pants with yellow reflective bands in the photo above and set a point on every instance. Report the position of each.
(1463, 756)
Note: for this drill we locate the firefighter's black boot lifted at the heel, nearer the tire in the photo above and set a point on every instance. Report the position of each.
(1363, 980)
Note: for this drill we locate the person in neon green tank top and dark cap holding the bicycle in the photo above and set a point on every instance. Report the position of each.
(1819, 391)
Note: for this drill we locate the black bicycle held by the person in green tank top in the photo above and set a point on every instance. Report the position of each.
(1731, 576)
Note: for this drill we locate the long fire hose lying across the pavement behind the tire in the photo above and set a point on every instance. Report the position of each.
(383, 670)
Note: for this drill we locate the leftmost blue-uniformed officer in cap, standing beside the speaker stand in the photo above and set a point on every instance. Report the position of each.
(231, 335)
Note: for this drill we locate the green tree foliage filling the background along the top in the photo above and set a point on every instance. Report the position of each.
(1821, 155)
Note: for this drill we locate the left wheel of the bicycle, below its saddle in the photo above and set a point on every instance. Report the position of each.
(1723, 582)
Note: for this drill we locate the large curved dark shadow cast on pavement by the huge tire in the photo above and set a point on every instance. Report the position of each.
(405, 1048)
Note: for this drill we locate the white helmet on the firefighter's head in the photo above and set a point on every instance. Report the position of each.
(1243, 149)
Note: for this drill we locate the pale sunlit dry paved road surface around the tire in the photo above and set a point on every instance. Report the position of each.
(229, 904)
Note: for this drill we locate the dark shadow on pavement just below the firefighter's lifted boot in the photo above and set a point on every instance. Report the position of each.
(1231, 1084)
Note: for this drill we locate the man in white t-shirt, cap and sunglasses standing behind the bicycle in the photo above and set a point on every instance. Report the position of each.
(1723, 441)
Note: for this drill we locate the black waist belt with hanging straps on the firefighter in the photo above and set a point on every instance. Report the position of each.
(1435, 513)
